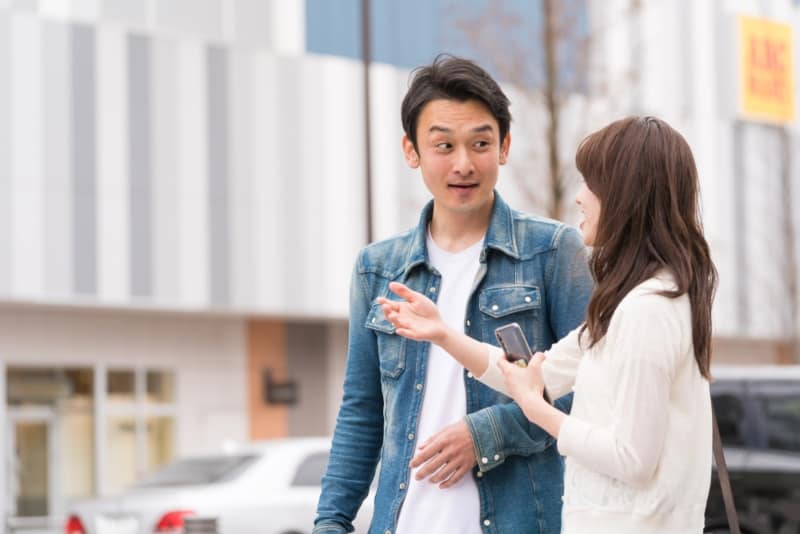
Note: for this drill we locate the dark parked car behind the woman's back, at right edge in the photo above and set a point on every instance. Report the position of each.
(758, 412)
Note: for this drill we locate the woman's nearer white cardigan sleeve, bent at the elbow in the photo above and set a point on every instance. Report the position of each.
(642, 345)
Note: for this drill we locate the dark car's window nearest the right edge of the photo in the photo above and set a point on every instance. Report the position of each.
(780, 406)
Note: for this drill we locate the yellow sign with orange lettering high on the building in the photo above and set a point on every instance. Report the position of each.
(765, 51)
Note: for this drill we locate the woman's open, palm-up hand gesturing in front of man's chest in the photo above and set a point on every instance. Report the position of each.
(415, 317)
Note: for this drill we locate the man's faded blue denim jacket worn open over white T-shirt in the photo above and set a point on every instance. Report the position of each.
(534, 272)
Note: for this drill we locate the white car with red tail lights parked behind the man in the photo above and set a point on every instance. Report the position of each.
(266, 488)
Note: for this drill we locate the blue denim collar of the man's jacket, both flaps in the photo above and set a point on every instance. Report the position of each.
(499, 236)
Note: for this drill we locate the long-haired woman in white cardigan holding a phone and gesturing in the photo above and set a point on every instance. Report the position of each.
(638, 441)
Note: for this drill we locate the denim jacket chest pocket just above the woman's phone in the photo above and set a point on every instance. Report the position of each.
(501, 305)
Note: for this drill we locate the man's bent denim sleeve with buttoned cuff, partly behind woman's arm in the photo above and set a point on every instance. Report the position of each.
(503, 430)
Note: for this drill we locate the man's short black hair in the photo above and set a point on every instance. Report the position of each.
(452, 78)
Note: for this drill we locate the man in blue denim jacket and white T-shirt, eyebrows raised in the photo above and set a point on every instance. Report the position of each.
(487, 469)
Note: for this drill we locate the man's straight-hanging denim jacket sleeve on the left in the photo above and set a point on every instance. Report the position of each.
(358, 435)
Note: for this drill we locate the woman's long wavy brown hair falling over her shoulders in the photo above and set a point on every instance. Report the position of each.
(645, 176)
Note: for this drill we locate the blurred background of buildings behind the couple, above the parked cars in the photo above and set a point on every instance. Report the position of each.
(184, 186)
